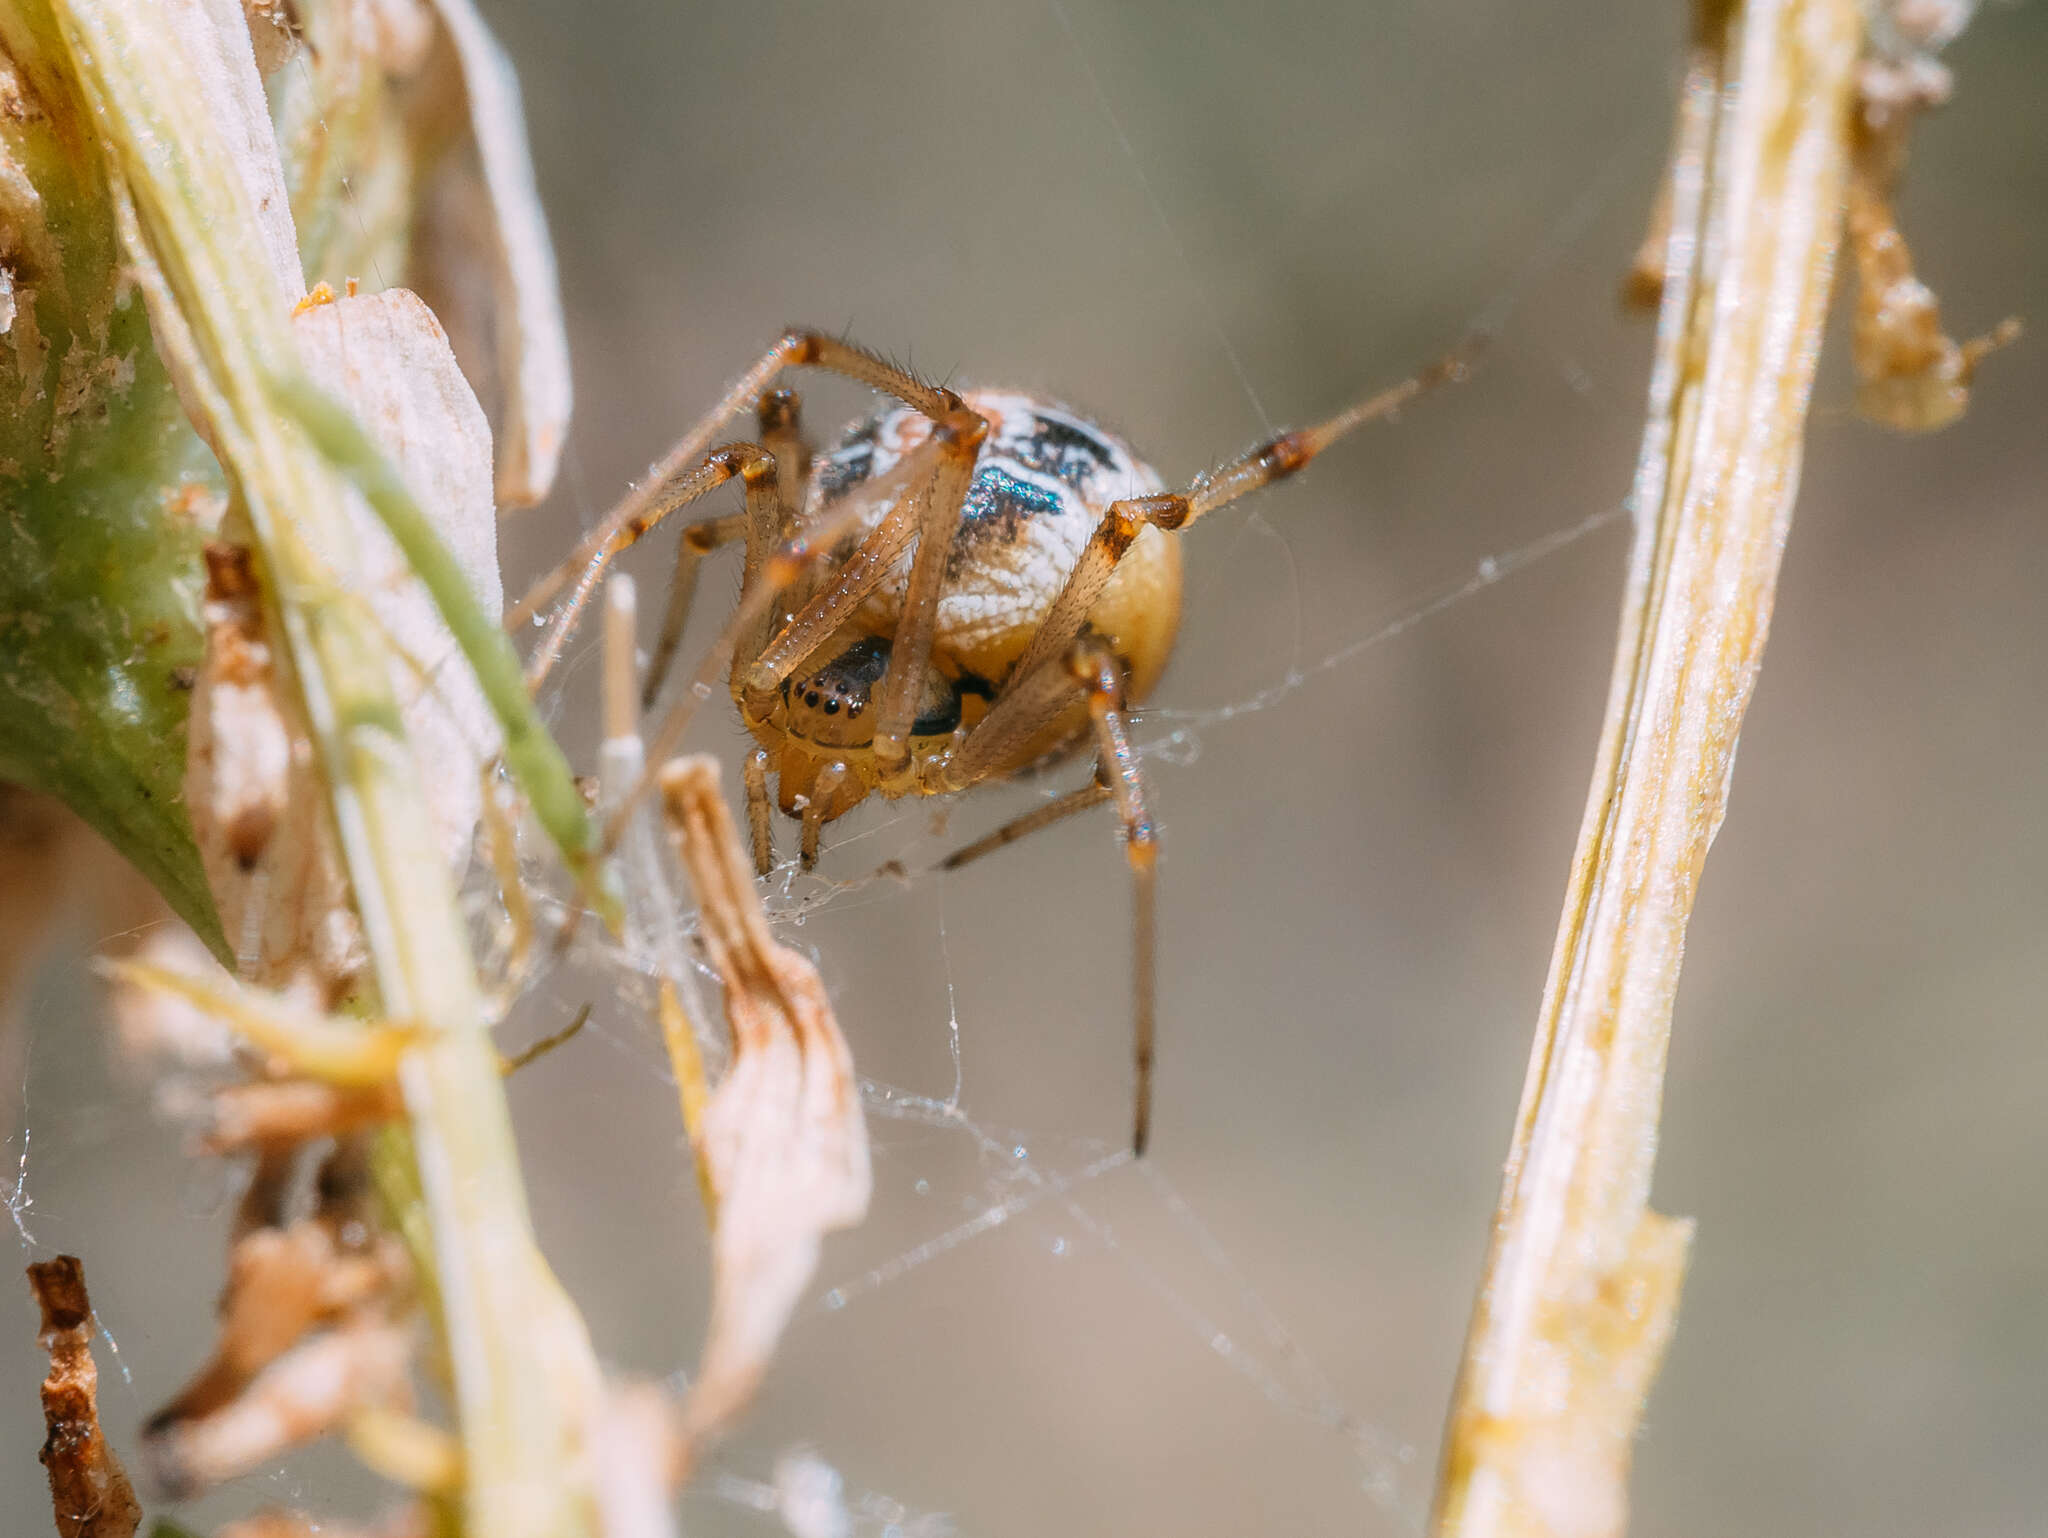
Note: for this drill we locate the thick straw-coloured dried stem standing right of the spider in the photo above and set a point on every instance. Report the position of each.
(1582, 1279)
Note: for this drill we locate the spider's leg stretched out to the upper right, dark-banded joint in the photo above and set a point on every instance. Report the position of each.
(1170, 511)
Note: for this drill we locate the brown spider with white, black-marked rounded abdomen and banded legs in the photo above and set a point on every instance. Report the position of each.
(966, 589)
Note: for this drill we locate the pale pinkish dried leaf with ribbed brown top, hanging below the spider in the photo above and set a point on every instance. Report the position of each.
(781, 1142)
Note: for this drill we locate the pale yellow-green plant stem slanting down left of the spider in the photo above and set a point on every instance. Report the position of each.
(521, 1363)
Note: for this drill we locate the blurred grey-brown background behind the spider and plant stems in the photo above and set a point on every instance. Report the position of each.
(1201, 222)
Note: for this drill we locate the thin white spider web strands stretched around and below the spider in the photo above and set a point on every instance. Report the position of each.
(1043, 1195)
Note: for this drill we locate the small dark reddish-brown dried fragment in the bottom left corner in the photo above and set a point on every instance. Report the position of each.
(89, 1492)
